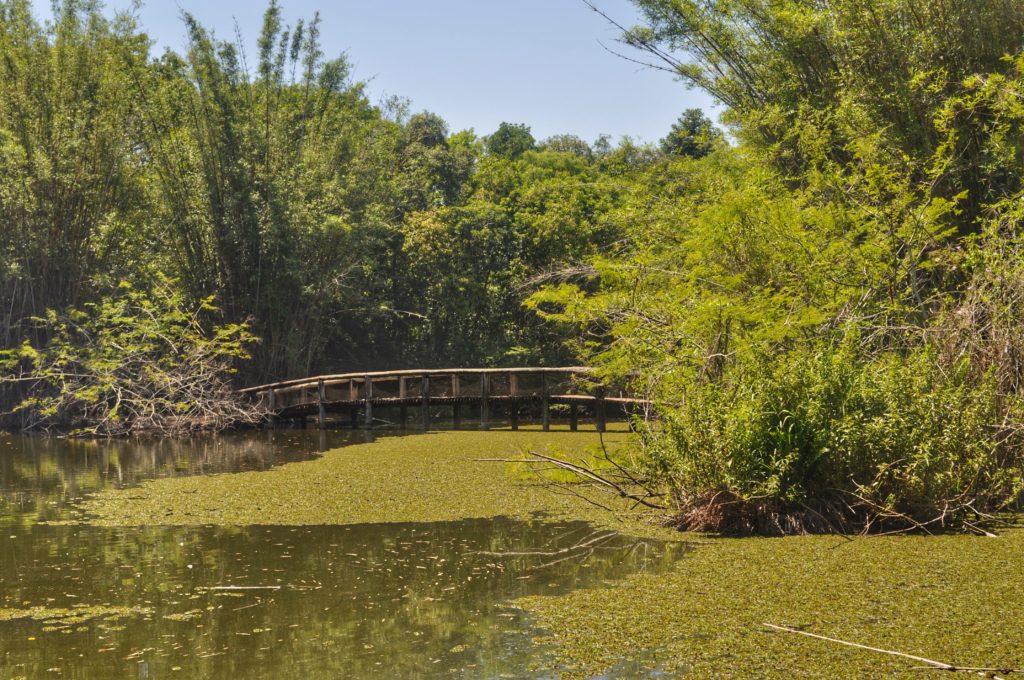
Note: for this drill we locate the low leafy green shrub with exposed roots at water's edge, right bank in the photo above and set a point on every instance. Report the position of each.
(834, 440)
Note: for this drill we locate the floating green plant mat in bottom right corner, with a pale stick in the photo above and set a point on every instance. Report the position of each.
(957, 600)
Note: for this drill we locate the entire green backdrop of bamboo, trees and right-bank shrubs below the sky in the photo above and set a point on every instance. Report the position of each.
(825, 307)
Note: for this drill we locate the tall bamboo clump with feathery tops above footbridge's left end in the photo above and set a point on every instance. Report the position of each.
(270, 187)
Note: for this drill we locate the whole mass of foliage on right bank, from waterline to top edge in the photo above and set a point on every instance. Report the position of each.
(828, 314)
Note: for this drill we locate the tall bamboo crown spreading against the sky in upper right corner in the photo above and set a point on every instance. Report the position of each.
(821, 87)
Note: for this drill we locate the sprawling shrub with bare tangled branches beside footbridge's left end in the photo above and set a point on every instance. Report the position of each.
(138, 362)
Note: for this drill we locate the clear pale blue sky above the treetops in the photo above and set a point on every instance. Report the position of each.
(476, 63)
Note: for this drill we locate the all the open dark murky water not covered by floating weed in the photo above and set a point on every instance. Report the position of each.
(418, 601)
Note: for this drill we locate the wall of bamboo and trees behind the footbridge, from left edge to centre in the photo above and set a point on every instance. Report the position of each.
(347, 235)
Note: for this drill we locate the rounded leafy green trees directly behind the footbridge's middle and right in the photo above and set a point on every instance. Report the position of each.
(521, 220)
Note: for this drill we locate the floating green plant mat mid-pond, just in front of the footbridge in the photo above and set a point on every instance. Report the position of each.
(422, 479)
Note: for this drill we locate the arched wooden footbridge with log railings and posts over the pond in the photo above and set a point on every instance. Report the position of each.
(489, 395)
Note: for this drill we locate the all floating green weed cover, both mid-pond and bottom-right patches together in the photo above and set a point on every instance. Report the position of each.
(952, 599)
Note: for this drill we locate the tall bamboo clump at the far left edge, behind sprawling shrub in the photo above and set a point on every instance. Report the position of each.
(72, 197)
